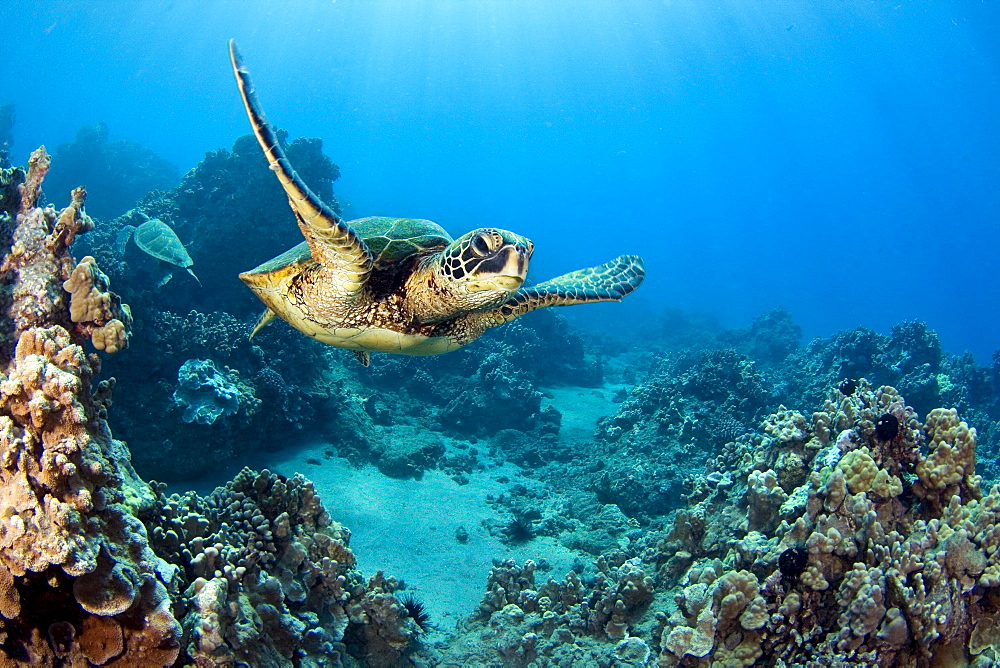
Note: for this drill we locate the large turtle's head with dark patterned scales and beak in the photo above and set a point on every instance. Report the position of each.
(486, 264)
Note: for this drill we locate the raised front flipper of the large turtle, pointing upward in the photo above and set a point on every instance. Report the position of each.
(331, 241)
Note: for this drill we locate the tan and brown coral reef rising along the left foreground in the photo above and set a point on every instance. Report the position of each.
(256, 572)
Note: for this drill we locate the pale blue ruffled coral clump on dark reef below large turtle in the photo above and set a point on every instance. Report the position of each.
(206, 394)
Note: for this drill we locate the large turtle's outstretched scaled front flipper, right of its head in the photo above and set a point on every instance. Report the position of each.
(611, 281)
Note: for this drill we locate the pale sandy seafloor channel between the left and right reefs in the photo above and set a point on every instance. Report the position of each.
(406, 527)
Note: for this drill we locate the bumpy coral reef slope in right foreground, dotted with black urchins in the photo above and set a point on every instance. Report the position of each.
(822, 540)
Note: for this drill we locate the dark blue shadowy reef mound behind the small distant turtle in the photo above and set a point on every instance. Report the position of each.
(226, 209)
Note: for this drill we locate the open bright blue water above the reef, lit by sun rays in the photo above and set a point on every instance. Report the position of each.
(837, 158)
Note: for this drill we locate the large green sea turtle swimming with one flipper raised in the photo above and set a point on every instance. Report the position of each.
(400, 285)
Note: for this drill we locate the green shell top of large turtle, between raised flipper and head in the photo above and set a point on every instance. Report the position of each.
(392, 240)
